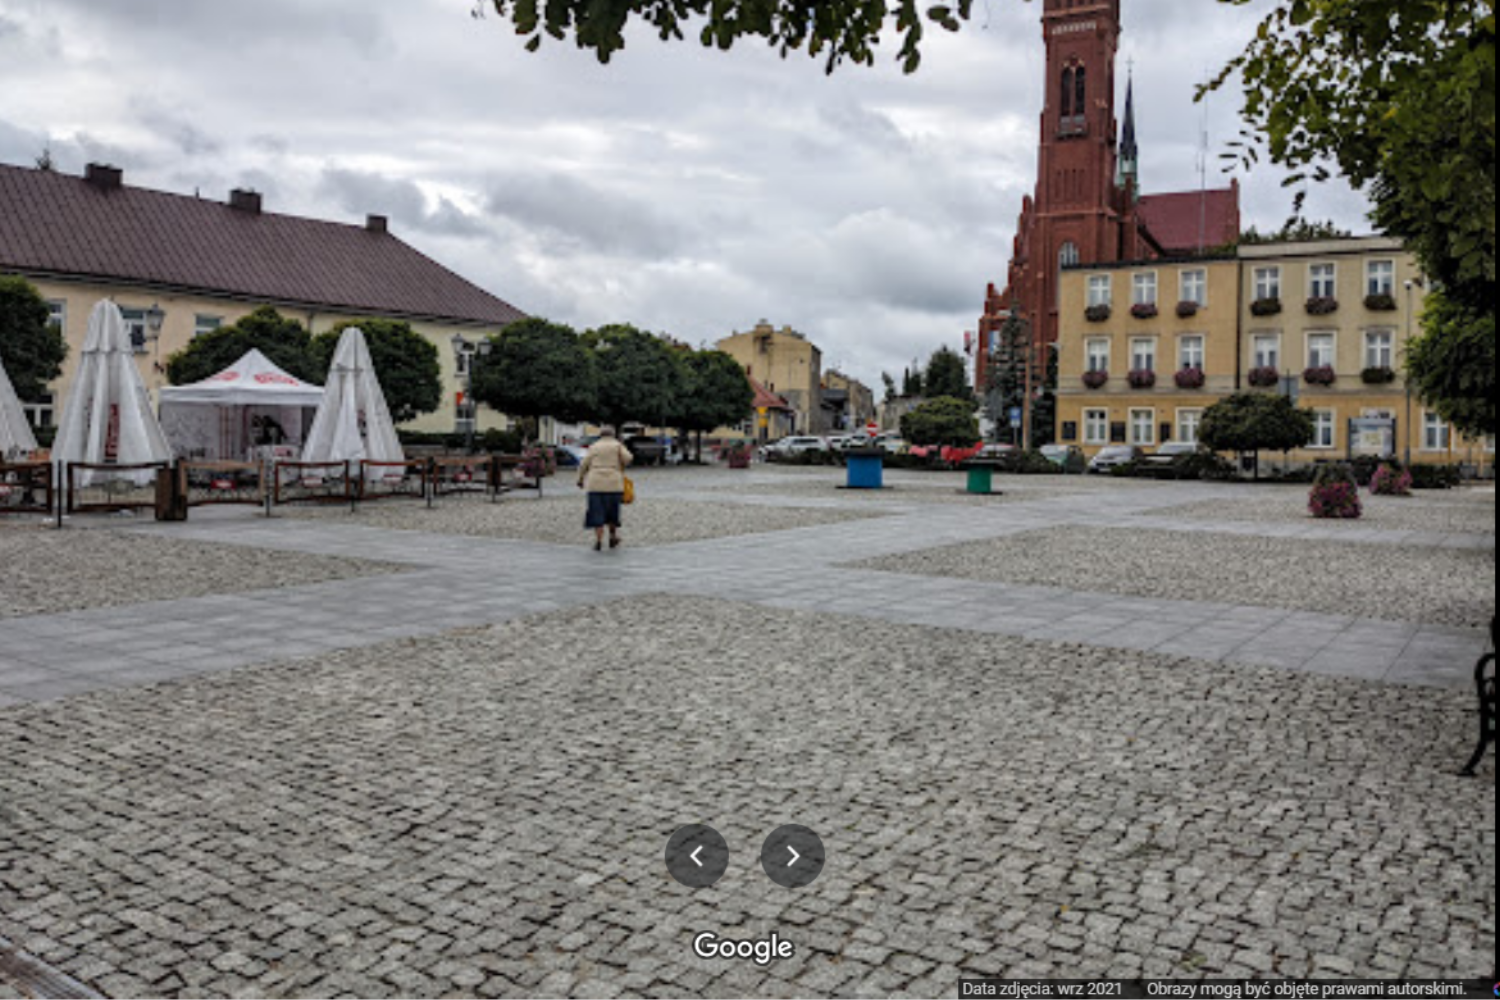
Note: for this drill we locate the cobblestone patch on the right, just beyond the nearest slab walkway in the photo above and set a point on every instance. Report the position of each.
(1418, 584)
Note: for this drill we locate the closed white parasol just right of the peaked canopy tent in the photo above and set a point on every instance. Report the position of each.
(353, 422)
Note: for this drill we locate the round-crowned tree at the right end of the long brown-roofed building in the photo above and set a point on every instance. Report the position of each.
(538, 370)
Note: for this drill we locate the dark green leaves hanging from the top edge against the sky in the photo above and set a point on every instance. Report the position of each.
(835, 31)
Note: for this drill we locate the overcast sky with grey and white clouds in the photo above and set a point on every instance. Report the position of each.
(680, 190)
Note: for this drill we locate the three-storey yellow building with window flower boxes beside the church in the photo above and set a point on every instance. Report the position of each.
(1324, 322)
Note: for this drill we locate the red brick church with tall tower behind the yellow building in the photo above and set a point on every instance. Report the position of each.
(1088, 206)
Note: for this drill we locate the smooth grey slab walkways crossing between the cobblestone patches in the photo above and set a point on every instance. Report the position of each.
(464, 581)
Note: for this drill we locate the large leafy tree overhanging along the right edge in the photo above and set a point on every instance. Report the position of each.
(1399, 95)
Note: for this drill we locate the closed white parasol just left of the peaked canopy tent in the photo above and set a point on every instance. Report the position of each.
(107, 419)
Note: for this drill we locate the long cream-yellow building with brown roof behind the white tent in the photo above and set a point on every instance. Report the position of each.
(182, 266)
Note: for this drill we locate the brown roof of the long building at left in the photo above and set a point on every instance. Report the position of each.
(61, 226)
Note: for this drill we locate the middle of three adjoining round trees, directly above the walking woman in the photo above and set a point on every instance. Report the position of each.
(640, 379)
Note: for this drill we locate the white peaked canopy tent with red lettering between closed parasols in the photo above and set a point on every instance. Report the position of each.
(248, 406)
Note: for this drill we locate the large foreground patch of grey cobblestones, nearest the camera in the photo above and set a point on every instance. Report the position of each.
(485, 813)
